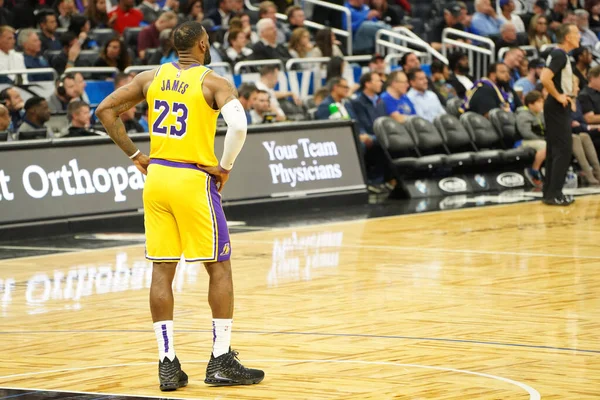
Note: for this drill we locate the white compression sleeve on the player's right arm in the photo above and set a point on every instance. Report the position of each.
(237, 125)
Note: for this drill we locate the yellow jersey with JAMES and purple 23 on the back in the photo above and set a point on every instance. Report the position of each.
(182, 125)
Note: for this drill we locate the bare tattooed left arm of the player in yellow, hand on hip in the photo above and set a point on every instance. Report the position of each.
(117, 103)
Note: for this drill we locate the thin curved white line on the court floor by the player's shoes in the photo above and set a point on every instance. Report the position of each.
(533, 394)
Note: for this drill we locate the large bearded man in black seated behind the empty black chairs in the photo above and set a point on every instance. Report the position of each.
(492, 92)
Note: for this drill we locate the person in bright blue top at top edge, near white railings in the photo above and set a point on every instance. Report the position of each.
(365, 24)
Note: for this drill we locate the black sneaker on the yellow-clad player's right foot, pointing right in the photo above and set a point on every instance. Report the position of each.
(226, 370)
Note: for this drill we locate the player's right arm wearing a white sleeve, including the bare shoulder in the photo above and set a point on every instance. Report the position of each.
(226, 98)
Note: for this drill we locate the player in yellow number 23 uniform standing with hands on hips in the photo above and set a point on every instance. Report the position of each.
(182, 201)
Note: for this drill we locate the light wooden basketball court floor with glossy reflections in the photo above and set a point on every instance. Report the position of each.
(488, 303)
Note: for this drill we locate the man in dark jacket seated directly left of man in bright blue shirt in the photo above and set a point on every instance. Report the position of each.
(368, 106)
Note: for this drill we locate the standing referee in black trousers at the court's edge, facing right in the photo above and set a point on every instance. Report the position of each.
(557, 78)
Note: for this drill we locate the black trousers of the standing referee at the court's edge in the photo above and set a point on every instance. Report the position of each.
(559, 146)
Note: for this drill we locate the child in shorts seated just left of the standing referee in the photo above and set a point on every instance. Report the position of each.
(531, 127)
